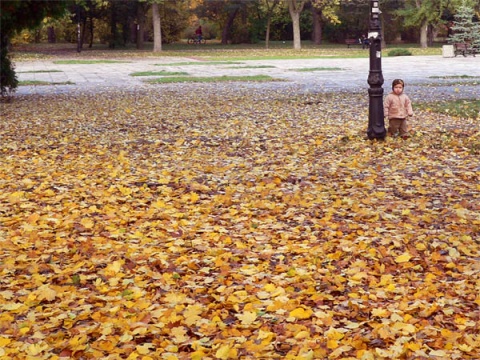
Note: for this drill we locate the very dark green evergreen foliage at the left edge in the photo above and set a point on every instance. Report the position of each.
(16, 15)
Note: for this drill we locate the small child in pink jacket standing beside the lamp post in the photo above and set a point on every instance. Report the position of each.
(397, 107)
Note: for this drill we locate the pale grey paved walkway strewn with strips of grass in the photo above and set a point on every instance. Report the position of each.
(422, 74)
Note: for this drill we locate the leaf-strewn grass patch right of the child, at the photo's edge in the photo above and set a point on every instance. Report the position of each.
(465, 108)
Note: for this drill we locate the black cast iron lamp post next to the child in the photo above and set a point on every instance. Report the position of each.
(376, 122)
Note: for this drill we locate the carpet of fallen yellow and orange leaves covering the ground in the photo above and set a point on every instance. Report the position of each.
(219, 223)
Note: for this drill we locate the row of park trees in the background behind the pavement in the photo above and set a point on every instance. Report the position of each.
(120, 21)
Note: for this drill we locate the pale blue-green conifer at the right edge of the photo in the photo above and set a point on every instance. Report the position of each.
(465, 30)
